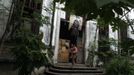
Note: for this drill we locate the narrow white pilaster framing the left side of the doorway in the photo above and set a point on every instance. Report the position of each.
(57, 18)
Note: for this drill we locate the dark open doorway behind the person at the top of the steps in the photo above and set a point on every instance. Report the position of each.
(64, 44)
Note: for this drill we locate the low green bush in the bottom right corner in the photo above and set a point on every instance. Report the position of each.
(120, 66)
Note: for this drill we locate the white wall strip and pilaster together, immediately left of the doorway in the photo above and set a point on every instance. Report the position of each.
(46, 29)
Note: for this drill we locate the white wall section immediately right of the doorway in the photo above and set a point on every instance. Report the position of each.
(91, 39)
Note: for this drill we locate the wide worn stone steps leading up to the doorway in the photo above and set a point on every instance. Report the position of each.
(77, 69)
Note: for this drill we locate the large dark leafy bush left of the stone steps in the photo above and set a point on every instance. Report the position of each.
(29, 52)
